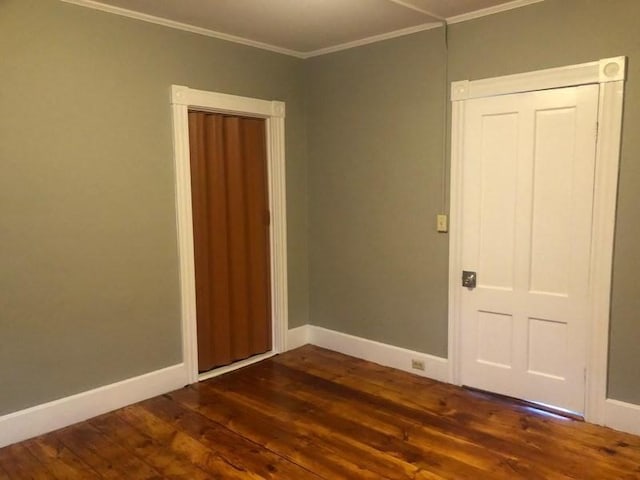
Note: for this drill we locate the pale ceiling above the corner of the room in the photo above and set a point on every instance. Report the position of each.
(304, 27)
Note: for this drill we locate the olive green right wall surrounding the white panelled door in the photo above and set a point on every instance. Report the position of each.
(377, 268)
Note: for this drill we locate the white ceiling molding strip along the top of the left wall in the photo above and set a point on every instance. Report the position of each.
(183, 26)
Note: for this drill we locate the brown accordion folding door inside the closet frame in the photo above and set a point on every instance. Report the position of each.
(231, 237)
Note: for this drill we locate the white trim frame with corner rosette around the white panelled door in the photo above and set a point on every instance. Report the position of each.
(610, 75)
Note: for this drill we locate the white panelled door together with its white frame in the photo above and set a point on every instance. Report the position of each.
(508, 335)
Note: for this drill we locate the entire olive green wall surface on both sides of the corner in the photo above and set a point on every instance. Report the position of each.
(89, 290)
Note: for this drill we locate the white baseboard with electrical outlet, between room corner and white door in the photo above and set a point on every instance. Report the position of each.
(380, 353)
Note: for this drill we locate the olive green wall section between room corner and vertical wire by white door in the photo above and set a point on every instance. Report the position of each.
(378, 268)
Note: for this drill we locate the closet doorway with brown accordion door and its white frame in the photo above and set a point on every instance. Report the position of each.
(231, 212)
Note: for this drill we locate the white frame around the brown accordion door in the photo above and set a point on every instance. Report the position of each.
(183, 99)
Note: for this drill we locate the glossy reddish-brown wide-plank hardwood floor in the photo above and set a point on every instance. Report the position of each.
(316, 414)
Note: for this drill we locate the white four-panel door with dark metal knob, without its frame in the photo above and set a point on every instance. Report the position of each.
(527, 180)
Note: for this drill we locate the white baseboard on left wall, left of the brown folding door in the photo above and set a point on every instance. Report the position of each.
(50, 416)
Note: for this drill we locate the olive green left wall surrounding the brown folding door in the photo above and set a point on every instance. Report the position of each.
(89, 291)
